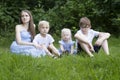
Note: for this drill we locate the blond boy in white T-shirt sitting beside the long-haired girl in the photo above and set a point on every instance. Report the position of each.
(45, 40)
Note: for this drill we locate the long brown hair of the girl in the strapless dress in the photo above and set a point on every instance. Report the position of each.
(31, 27)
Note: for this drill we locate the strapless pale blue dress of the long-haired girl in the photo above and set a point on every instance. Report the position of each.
(25, 49)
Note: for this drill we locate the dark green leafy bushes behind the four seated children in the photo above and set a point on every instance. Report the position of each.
(104, 14)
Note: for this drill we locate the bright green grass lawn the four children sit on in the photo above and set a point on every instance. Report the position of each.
(72, 67)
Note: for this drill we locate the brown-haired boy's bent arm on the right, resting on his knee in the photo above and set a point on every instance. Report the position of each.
(102, 36)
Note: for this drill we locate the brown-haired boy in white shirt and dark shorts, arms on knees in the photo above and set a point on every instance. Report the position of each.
(85, 37)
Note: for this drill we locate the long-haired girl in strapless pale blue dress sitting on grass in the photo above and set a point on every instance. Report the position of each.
(25, 33)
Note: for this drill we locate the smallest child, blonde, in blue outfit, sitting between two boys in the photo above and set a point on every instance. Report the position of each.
(66, 43)
